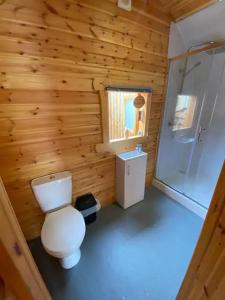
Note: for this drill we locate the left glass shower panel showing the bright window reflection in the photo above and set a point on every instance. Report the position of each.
(185, 97)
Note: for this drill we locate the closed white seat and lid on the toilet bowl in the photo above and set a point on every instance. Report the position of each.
(63, 231)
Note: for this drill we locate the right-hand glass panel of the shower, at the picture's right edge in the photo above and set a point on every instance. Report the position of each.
(209, 153)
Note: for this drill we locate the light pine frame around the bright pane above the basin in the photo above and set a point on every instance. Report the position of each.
(105, 121)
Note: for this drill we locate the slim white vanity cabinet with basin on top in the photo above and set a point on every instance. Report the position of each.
(130, 177)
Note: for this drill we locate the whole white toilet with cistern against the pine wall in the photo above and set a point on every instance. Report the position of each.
(64, 228)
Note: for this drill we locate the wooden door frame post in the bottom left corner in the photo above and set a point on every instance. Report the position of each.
(18, 270)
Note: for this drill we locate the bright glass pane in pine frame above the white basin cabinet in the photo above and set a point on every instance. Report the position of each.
(127, 114)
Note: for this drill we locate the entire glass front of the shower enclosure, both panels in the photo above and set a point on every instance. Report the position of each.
(192, 140)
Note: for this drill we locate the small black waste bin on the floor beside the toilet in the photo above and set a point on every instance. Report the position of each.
(88, 206)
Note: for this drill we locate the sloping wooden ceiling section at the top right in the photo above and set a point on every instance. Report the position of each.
(171, 10)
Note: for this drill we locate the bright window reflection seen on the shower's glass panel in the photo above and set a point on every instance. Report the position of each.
(184, 112)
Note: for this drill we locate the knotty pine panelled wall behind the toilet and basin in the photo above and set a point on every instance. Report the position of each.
(55, 56)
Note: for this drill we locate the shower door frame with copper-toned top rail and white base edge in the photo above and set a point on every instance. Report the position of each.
(165, 188)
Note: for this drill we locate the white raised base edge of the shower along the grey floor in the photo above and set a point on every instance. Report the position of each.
(183, 200)
